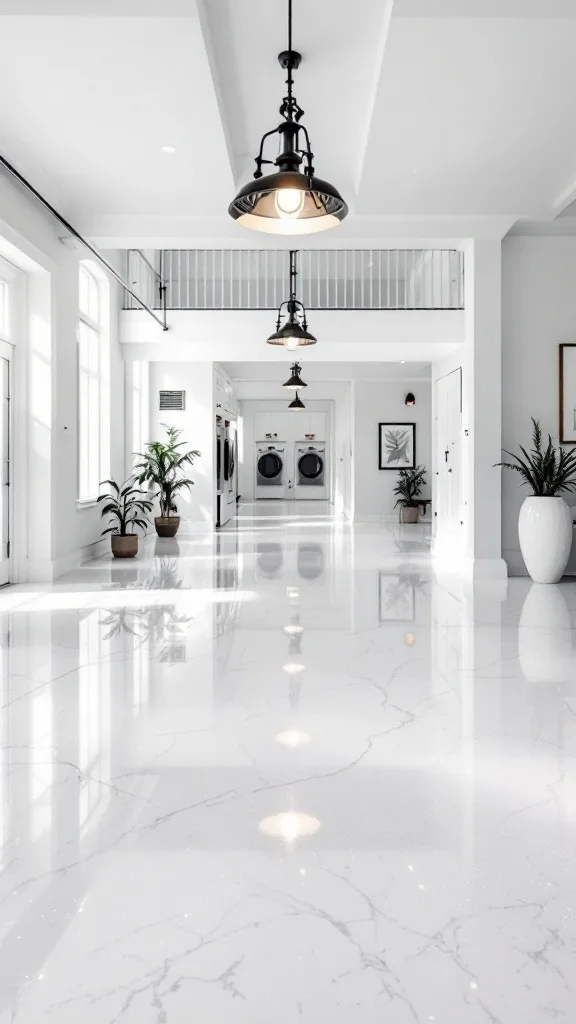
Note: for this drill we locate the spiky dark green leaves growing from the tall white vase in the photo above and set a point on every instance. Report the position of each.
(548, 471)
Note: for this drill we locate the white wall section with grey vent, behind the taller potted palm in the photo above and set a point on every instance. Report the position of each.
(198, 423)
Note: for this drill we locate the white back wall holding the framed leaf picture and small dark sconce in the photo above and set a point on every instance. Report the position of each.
(382, 402)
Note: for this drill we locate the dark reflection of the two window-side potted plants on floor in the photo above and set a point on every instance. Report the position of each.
(159, 625)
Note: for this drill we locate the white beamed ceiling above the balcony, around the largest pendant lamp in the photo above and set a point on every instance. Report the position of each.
(420, 110)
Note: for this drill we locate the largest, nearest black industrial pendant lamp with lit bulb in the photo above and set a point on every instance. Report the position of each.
(293, 200)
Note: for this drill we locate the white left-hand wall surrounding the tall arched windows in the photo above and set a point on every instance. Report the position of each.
(50, 337)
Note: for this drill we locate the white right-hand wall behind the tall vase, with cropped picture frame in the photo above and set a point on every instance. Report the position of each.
(539, 313)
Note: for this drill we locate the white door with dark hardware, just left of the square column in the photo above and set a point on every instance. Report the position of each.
(449, 453)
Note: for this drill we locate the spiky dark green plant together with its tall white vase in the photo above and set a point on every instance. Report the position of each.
(546, 521)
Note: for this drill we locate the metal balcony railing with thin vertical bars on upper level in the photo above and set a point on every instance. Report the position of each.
(328, 279)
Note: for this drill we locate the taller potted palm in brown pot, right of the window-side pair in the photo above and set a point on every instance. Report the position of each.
(163, 465)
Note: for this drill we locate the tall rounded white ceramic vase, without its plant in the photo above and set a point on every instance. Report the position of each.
(546, 537)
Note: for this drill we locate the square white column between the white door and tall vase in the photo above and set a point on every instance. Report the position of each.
(482, 416)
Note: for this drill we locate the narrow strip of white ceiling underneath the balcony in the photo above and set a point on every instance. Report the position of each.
(318, 373)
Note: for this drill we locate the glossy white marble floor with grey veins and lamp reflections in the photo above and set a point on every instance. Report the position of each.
(286, 775)
